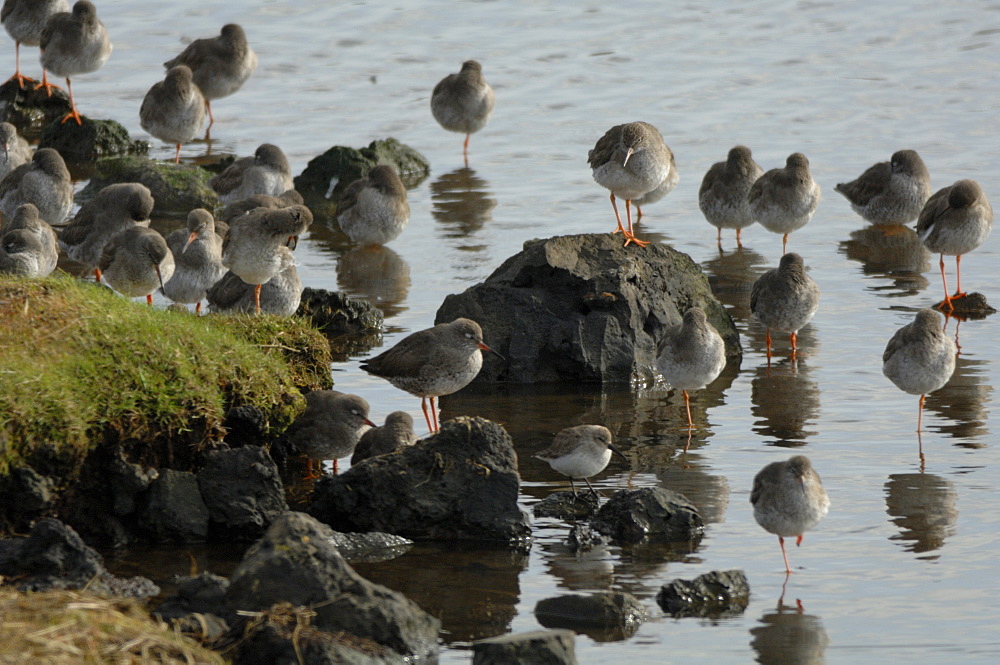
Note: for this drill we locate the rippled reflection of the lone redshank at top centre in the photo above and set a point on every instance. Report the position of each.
(462, 202)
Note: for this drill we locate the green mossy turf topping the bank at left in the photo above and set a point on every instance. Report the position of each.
(80, 365)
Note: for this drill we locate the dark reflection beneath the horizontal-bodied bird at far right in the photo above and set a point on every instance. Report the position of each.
(890, 252)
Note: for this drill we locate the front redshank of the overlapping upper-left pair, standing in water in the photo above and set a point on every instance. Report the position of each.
(173, 110)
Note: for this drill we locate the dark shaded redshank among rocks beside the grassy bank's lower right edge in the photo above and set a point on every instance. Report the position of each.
(330, 427)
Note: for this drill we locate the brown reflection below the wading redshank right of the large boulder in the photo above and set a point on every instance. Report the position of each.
(785, 401)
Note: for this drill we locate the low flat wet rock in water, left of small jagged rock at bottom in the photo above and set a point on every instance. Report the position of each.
(605, 616)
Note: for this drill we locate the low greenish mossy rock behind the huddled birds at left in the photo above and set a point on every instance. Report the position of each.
(177, 188)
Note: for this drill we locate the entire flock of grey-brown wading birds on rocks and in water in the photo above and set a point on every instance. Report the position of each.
(110, 234)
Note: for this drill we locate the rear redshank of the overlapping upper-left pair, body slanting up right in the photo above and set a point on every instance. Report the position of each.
(221, 65)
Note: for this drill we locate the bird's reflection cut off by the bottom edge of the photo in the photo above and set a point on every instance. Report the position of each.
(789, 637)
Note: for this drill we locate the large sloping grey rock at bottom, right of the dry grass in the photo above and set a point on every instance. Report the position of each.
(295, 562)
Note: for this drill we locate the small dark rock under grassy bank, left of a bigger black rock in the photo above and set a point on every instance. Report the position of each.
(175, 511)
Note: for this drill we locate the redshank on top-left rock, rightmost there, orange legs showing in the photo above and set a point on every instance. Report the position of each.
(74, 43)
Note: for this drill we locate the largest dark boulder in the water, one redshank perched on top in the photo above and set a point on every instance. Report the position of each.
(584, 308)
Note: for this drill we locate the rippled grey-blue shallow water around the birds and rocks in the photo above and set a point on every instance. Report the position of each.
(903, 566)
